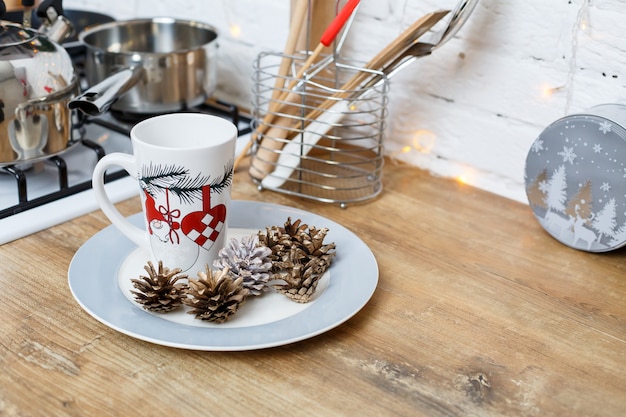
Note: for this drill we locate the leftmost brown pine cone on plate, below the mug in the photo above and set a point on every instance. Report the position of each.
(160, 291)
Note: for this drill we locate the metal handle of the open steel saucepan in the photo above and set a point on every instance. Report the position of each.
(99, 98)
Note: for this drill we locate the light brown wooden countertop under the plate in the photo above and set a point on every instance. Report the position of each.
(478, 312)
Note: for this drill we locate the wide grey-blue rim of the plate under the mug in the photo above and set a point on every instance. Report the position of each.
(357, 267)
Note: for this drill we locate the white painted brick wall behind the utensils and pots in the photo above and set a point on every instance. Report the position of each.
(474, 107)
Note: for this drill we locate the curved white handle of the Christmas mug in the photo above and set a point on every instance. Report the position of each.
(126, 161)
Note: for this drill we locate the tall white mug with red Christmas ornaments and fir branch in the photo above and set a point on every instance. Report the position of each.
(183, 163)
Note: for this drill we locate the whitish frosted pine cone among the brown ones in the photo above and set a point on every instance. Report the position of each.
(247, 260)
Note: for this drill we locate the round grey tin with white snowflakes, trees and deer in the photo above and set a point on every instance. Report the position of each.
(575, 179)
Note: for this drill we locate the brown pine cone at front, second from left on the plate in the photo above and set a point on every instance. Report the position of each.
(215, 296)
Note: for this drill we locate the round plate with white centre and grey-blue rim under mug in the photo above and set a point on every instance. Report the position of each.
(100, 273)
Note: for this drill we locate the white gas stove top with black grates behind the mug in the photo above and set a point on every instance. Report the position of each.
(39, 195)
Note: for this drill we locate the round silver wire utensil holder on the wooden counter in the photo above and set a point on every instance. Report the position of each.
(313, 148)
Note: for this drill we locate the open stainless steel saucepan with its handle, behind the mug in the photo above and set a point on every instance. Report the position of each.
(148, 66)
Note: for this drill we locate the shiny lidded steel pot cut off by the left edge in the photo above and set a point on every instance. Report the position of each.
(37, 81)
